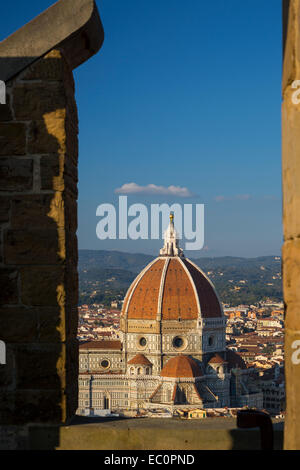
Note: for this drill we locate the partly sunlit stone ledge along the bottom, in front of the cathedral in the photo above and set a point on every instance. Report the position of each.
(147, 434)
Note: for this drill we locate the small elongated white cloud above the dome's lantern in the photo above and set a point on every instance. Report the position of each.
(133, 188)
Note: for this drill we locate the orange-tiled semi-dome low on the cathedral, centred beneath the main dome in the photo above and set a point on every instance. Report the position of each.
(181, 366)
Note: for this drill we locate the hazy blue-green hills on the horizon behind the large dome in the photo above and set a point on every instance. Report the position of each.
(104, 275)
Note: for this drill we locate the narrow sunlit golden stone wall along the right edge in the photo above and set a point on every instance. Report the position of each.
(291, 217)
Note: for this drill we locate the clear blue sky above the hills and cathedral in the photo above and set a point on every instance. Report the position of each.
(184, 94)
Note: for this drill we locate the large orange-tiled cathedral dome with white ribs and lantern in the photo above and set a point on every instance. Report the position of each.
(171, 287)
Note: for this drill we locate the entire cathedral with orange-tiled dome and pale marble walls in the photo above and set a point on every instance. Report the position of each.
(173, 350)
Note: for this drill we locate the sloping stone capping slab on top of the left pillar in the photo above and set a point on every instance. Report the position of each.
(74, 26)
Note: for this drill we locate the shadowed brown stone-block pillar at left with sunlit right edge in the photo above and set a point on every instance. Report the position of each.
(38, 249)
